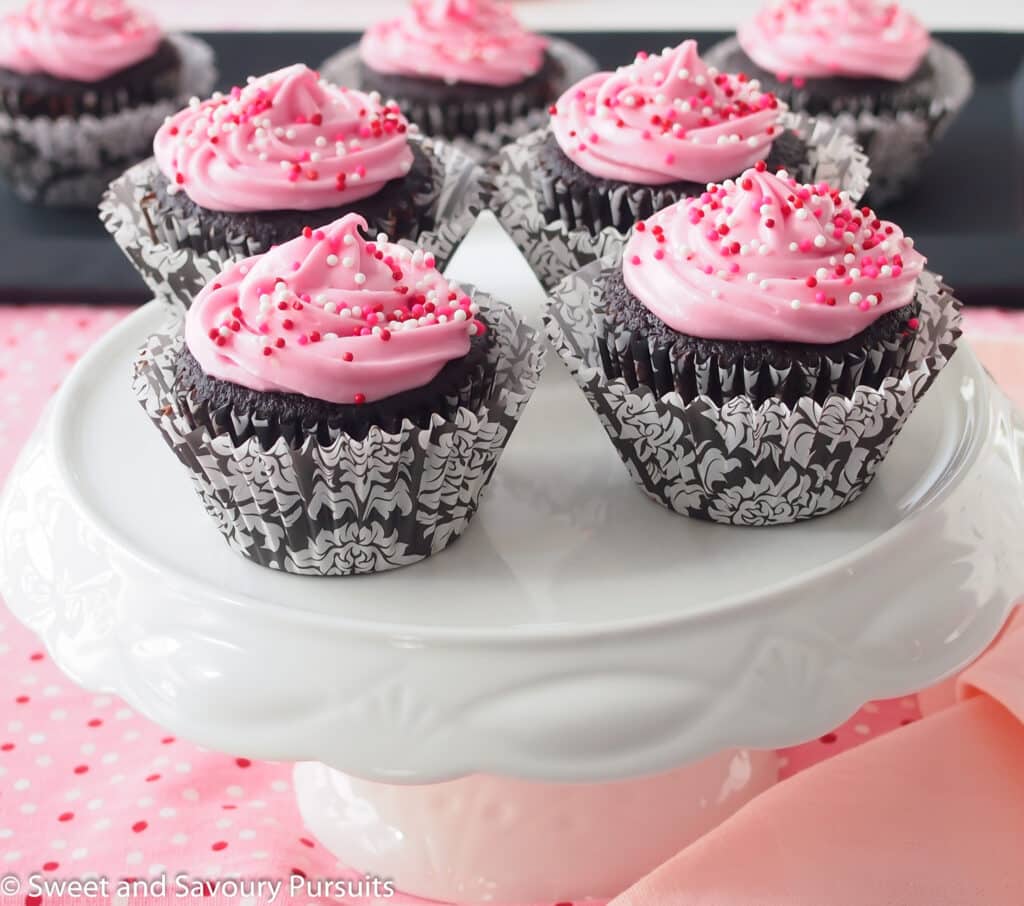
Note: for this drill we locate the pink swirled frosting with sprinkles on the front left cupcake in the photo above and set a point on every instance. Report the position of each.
(332, 317)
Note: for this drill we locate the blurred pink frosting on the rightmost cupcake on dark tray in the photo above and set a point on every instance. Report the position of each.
(849, 38)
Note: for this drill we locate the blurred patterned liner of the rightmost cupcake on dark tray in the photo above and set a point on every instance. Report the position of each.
(898, 144)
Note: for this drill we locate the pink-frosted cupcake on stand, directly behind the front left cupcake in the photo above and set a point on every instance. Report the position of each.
(241, 172)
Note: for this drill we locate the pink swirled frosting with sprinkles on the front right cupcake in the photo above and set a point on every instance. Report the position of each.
(764, 258)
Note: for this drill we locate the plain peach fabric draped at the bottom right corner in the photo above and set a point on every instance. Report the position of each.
(930, 815)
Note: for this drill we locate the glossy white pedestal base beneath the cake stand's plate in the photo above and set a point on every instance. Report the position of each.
(484, 839)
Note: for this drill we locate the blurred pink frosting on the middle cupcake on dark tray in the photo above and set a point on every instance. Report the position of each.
(476, 41)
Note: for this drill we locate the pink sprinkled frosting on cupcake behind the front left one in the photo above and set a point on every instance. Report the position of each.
(289, 141)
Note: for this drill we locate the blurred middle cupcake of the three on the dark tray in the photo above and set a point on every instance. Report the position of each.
(463, 70)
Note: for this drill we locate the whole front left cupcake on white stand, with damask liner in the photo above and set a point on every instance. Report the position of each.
(340, 406)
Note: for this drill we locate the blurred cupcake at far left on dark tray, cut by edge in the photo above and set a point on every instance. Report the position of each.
(83, 89)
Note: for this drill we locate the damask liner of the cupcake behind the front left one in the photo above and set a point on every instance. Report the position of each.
(166, 256)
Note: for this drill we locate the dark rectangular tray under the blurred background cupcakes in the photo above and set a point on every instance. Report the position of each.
(967, 215)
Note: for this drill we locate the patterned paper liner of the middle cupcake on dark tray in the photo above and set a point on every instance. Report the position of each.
(576, 64)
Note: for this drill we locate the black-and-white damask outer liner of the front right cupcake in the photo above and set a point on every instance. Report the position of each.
(740, 464)
